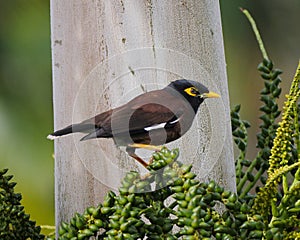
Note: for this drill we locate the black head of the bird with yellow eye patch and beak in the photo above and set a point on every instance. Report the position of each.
(193, 91)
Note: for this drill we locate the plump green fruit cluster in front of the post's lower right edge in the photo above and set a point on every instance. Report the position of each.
(206, 210)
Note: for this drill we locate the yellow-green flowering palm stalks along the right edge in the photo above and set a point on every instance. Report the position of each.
(279, 198)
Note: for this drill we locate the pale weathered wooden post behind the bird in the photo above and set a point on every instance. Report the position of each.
(105, 53)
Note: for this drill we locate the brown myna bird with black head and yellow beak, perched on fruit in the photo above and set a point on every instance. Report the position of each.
(147, 121)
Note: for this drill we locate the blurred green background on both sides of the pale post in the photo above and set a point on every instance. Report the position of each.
(25, 83)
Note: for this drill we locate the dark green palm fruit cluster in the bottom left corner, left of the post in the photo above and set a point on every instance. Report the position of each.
(14, 222)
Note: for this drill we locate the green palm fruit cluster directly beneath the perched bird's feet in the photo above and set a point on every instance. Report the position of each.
(137, 211)
